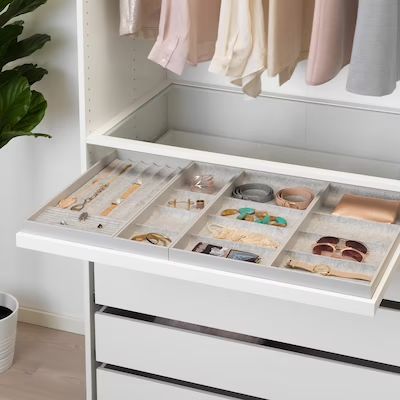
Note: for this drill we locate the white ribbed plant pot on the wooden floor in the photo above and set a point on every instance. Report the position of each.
(8, 331)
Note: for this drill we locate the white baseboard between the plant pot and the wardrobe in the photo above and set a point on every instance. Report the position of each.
(50, 320)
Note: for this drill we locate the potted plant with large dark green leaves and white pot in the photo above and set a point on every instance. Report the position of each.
(21, 110)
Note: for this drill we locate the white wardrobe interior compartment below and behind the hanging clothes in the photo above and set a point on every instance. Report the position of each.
(127, 97)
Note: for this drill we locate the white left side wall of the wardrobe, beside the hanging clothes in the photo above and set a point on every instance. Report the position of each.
(115, 70)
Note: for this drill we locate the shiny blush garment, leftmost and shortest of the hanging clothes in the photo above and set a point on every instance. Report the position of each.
(139, 17)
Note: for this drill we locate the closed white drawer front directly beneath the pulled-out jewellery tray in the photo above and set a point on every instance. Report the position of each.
(338, 332)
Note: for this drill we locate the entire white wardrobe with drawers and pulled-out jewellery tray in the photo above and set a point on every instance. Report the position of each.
(166, 323)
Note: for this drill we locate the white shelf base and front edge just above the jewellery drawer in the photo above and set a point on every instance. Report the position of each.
(251, 155)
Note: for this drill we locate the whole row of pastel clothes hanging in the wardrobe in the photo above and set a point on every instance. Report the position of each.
(243, 39)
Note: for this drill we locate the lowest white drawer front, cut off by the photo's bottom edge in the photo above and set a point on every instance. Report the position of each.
(113, 385)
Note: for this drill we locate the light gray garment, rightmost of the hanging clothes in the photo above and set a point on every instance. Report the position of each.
(375, 62)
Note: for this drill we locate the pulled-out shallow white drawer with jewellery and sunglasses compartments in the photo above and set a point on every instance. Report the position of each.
(151, 214)
